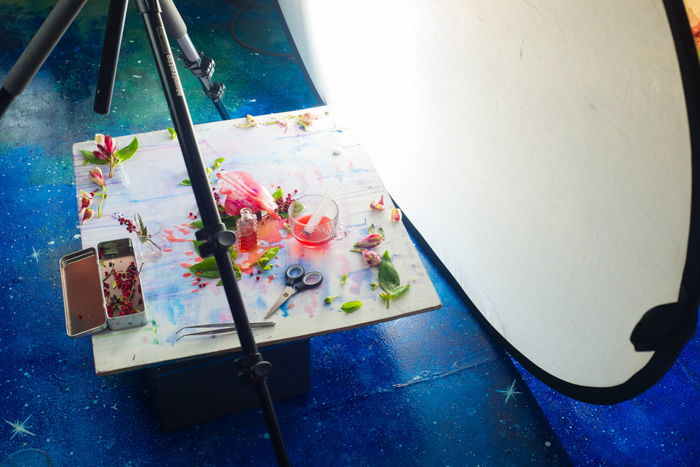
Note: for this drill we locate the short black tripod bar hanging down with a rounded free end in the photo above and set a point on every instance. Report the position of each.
(110, 55)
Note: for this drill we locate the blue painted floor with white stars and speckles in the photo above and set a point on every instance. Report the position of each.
(423, 390)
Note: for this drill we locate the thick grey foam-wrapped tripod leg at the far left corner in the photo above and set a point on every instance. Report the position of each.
(38, 50)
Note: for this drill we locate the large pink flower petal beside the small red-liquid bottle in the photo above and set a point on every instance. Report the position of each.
(242, 191)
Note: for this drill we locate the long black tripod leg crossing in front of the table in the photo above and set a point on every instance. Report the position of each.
(217, 238)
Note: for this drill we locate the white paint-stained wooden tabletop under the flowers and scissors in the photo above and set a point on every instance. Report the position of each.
(328, 154)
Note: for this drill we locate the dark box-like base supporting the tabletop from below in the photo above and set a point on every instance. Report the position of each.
(195, 391)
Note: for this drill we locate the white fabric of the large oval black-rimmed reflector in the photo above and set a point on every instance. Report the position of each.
(542, 149)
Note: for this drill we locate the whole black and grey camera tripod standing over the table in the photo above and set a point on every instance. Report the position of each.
(217, 239)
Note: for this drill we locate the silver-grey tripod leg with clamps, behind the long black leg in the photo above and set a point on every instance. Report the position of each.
(202, 67)
